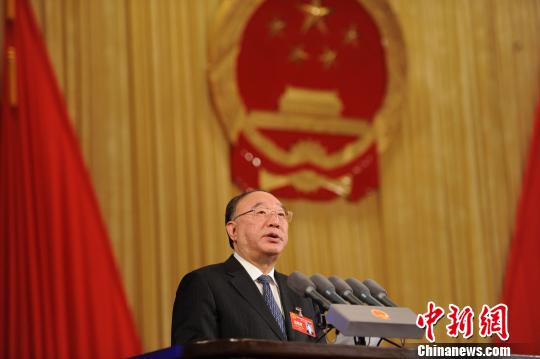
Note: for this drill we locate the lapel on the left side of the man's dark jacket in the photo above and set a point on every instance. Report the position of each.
(243, 284)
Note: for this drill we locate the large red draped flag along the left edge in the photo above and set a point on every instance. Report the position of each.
(61, 295)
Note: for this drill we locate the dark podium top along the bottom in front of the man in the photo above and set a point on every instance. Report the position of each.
(251, 348)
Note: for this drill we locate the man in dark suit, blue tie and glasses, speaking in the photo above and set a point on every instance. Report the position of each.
(244, 297)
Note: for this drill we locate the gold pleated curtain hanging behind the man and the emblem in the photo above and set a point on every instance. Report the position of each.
(134, 74)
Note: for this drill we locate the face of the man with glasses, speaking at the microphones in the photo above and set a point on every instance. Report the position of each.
(259, 237)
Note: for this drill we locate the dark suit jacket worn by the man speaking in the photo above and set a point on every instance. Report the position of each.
(222, 301)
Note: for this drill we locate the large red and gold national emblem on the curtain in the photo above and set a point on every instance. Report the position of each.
(307, 92)
